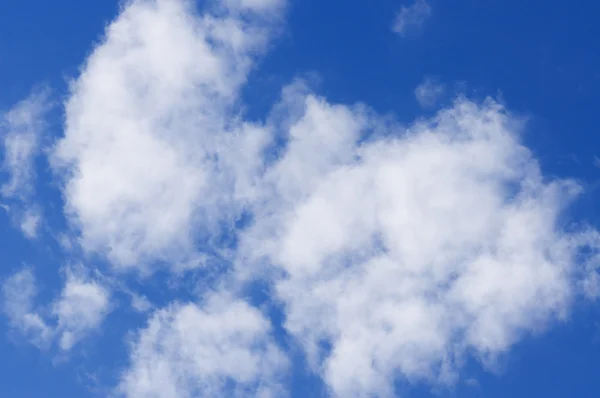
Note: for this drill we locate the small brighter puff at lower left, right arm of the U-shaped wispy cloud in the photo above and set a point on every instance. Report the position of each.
(81, 308)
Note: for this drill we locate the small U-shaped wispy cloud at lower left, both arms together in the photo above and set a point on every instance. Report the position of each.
(79, 310)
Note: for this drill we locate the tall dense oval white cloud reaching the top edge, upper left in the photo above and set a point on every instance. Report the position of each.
(152, 153)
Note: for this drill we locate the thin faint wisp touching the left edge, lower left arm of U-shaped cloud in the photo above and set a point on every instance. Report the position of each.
(18, 296)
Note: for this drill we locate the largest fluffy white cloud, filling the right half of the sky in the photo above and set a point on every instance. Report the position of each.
(411, 249)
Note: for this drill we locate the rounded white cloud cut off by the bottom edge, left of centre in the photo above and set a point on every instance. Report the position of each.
(222, 348)
